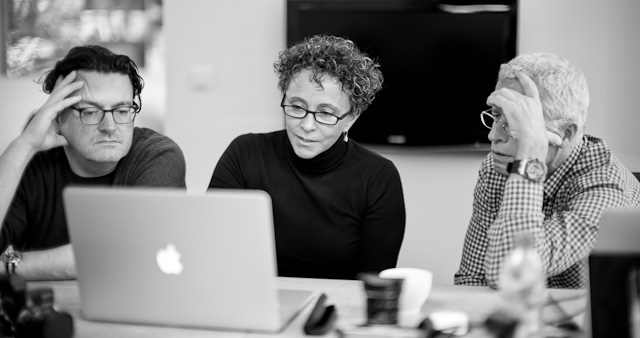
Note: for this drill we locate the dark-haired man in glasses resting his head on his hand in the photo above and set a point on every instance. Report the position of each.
(83, 135)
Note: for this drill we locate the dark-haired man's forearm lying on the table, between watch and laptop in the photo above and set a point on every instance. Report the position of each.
(52, 264)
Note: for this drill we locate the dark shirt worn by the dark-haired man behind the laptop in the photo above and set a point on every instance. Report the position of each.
(36, 219)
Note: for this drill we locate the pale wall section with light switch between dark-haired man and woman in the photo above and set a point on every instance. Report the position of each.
(220, 76)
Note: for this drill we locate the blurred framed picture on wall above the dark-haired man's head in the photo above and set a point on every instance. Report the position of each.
(37, 33)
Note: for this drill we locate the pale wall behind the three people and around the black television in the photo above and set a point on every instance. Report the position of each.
(220, 83)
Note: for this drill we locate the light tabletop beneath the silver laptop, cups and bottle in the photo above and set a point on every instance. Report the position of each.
(346, 295)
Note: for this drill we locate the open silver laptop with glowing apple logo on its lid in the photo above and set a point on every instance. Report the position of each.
(173, 258)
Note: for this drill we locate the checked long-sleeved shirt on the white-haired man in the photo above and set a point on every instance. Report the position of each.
(562, 213)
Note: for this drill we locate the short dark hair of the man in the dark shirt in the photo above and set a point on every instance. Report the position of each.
(95, 58)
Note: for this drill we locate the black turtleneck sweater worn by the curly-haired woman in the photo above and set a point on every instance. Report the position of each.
(335, 215)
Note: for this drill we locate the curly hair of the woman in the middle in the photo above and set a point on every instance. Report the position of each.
(340, 58)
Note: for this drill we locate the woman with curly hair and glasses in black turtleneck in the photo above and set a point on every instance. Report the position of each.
(338, 207)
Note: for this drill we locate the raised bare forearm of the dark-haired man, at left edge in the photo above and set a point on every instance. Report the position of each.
(12, 165)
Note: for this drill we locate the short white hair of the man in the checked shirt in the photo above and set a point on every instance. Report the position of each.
(563, 88)
